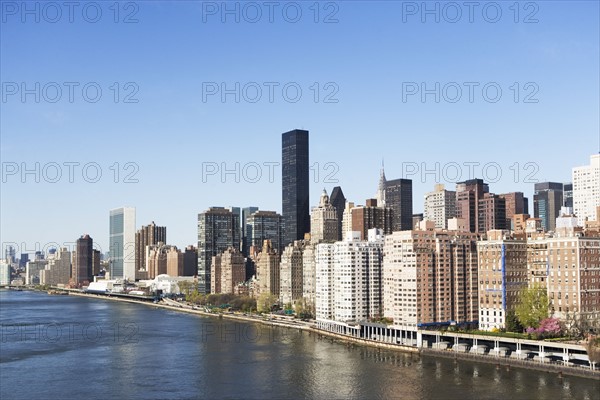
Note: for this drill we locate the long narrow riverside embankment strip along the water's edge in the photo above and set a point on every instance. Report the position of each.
(506, 362)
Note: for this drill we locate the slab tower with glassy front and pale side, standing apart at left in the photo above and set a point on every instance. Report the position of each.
(122, 243)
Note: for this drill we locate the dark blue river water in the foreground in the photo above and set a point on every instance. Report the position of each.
(68, 347)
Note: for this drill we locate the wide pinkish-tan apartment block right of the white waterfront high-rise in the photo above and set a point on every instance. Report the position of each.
(430, 278)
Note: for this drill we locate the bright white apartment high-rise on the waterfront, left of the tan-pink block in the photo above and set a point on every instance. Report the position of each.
(349, 274)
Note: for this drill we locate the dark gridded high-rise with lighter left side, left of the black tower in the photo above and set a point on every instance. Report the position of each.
(218, 229)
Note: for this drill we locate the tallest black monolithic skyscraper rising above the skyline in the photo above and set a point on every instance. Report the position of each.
(295, 185)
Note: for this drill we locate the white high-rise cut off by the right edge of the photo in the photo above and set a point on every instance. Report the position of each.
(586, 190)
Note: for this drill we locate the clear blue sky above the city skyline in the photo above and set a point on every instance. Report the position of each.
(362, 77)
